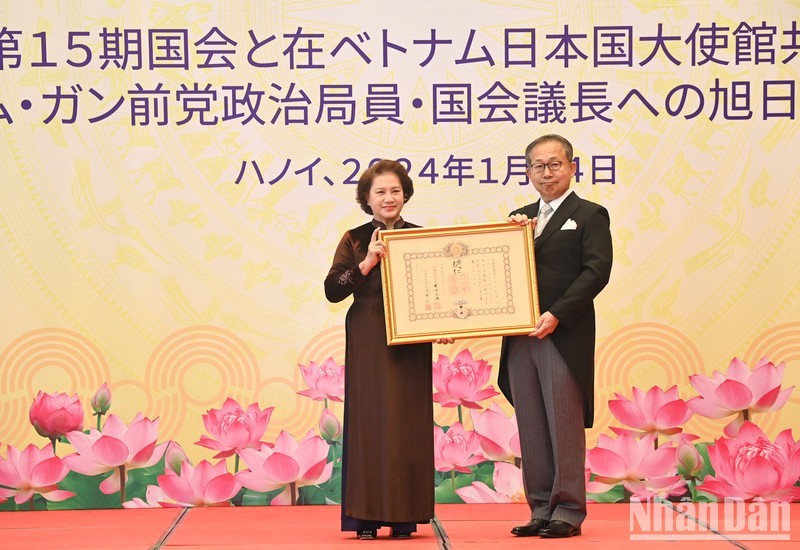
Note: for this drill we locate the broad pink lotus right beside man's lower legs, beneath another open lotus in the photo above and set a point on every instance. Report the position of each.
(644, 471)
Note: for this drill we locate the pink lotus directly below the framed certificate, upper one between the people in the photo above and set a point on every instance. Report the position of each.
(459, 381)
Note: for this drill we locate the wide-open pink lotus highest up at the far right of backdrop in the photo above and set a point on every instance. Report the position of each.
(739, 392)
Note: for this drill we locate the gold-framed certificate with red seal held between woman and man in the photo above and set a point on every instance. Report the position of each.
(460, 281)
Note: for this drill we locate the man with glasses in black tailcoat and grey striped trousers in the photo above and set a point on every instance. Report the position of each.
(549, 375)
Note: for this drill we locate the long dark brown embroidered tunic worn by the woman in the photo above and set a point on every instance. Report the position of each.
(388, 421)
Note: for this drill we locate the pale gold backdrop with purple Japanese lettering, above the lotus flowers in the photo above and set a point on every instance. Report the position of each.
(129, 254)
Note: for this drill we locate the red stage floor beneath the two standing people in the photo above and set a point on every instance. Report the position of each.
(472, 527)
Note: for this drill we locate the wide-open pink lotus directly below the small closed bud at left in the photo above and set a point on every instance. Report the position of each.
(116, 447)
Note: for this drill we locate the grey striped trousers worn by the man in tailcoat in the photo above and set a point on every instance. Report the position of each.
(549, 408)
